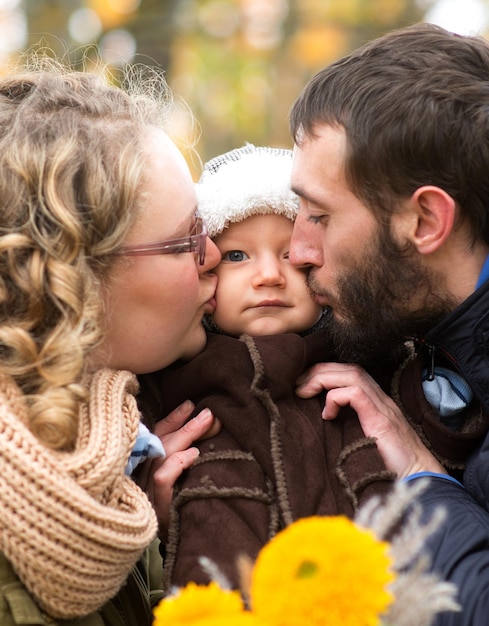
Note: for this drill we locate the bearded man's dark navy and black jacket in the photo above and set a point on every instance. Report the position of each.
(460, 549)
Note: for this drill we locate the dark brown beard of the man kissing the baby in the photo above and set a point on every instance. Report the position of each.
(376, 312)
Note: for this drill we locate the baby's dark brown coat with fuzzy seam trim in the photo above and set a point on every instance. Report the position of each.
(275, 459)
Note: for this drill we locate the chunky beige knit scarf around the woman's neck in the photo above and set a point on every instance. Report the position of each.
(72, 524)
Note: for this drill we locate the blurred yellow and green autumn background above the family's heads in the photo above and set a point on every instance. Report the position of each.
(237, 64)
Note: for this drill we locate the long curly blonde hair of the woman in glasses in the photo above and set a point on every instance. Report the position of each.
(72, 163)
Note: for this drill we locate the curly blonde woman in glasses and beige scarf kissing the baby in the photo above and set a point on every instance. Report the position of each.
(89, 178)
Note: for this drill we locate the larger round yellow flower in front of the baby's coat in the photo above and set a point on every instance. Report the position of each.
(322, 570)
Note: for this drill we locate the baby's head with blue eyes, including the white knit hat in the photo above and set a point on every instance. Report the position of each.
(245, 199)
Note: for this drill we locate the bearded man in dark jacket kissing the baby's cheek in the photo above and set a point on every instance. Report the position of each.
(391, 162)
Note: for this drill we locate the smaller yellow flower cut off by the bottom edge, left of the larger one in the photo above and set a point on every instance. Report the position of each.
(199, 605)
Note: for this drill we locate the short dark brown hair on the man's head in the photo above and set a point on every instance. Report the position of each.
(415, 108)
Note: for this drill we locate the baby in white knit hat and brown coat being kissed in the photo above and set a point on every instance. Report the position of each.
(274, 460)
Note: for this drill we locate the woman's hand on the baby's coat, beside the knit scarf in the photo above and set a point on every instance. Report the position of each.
(177, 436)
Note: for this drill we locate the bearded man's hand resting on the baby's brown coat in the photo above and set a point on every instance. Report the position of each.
(401, 448)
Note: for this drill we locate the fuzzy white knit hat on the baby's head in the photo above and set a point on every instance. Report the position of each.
(244, 182)
